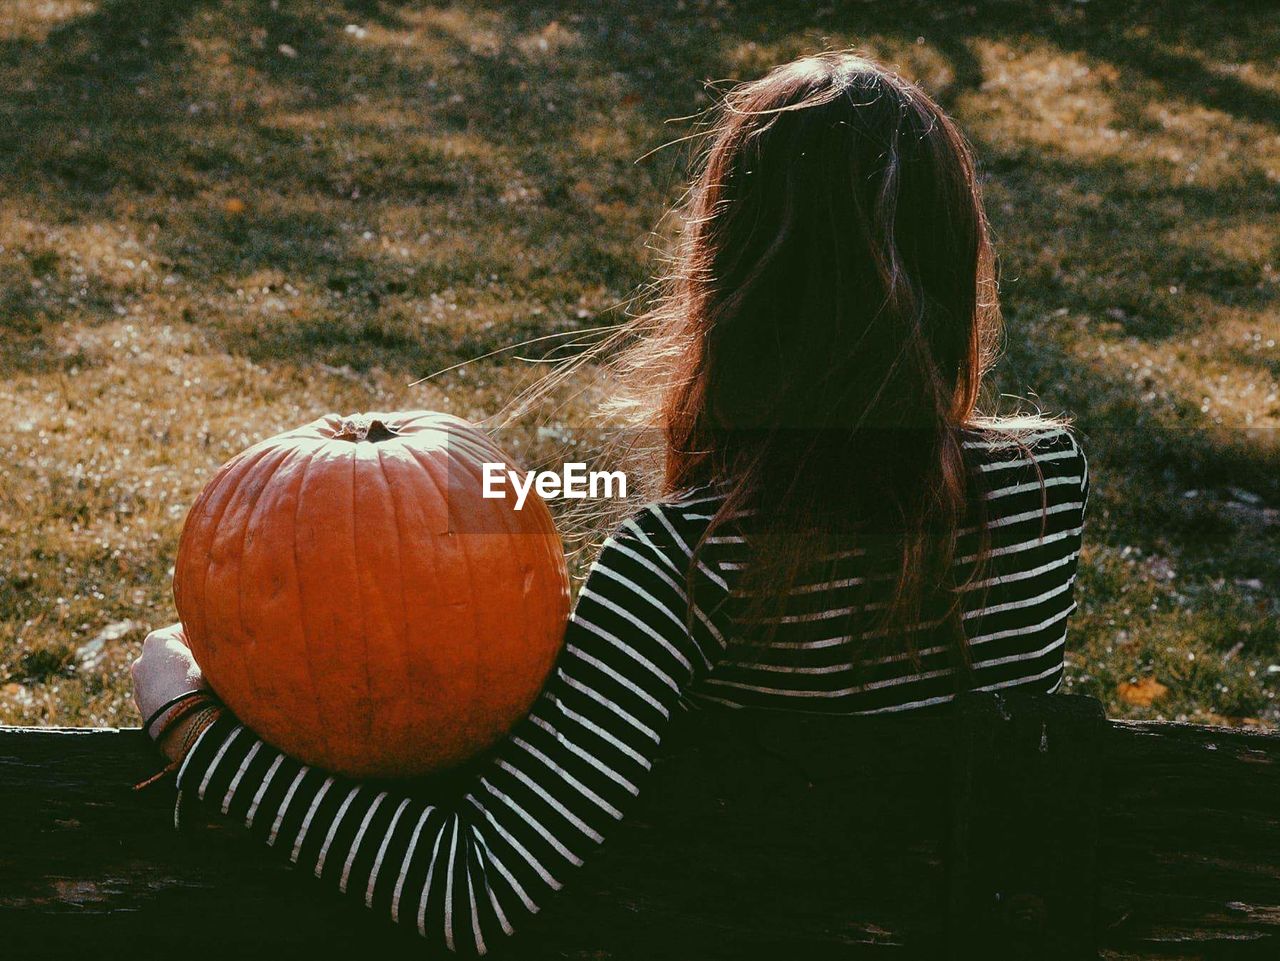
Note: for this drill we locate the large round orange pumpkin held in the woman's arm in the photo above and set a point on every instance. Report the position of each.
(354, 598)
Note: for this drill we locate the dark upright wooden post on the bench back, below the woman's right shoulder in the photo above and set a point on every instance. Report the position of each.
(1026, 823)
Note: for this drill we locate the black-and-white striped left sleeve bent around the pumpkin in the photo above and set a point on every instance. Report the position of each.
(464, 872)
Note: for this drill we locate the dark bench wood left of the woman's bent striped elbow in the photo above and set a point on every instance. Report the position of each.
(88, 861)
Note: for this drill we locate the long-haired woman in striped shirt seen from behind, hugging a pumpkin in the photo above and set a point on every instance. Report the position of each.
(843, 533)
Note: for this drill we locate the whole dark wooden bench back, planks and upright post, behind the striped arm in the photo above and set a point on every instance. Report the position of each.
(1018, 827)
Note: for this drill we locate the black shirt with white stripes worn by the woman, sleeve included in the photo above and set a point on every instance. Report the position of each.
(464, 870)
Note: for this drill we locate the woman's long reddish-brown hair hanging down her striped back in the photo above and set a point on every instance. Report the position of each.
(821, 341)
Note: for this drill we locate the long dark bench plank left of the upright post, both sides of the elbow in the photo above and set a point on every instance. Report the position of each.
(721, 858)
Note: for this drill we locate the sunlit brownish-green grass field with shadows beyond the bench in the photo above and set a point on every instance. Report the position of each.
(221, 218)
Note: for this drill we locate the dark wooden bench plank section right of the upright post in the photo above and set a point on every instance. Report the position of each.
(1190, 853)
